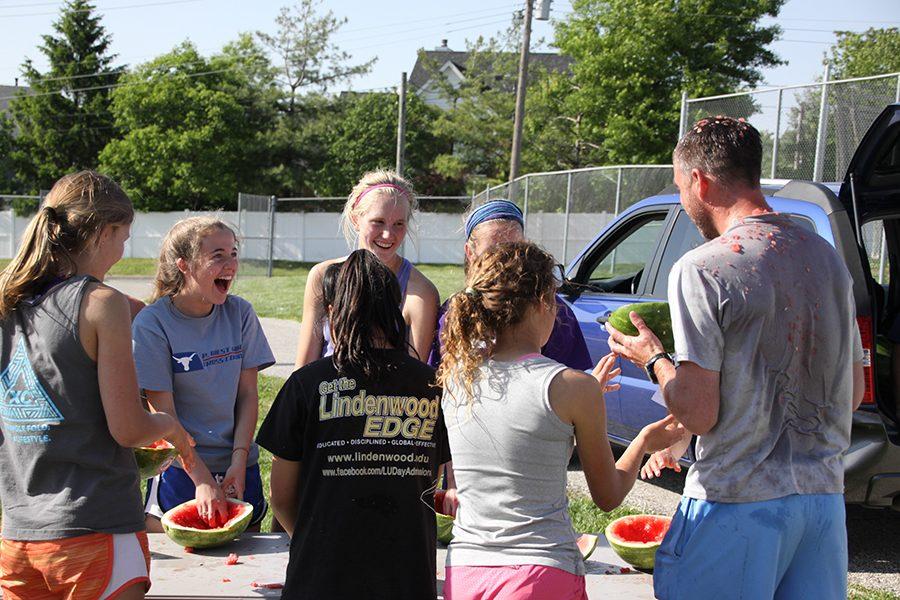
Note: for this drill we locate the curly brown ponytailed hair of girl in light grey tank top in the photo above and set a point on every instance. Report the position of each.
(501, 285)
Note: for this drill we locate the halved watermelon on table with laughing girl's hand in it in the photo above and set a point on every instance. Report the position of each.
(184, 525)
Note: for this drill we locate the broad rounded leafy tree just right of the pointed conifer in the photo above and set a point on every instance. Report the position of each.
(192, 129)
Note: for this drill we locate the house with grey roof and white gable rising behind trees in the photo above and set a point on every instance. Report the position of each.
(452, 67)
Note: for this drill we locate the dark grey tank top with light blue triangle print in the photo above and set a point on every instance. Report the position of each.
(61, 472)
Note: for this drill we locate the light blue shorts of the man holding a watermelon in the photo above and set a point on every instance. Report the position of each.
(793, 547)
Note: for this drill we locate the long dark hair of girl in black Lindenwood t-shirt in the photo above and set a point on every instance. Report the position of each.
(366, 315)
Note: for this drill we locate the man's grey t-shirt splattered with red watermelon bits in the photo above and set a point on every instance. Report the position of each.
(769, 306)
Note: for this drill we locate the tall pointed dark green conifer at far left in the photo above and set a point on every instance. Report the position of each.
(65, 121)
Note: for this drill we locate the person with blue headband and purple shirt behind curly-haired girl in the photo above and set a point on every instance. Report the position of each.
(500, 221)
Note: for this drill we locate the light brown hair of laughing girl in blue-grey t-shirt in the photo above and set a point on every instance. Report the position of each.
(183, 241)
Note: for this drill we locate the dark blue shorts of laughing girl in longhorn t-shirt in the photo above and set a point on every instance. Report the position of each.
(174, 487)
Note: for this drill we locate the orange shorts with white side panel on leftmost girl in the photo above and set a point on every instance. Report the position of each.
(87, 567)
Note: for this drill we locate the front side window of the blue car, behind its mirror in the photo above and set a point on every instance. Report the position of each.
(619, 267)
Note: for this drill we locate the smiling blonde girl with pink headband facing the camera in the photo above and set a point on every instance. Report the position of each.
(376, 217)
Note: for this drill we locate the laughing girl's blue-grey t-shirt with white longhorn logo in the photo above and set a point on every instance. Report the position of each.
(199, 360)
